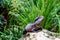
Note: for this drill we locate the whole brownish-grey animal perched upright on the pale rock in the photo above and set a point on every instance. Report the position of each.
(35, 26)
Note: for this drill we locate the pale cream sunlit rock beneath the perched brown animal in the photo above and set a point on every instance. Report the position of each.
(40, 35)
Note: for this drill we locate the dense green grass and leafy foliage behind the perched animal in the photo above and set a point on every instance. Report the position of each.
(18, 13)
